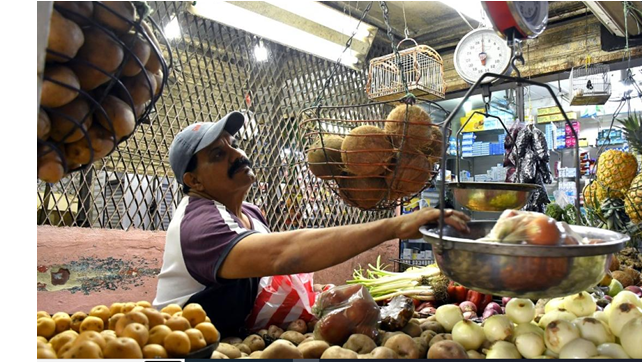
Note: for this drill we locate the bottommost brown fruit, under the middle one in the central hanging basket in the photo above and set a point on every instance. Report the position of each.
(362, 192)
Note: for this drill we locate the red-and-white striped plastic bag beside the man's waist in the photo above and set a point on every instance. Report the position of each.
(282, 299)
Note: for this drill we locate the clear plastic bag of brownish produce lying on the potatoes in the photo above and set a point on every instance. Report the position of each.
(343, 311)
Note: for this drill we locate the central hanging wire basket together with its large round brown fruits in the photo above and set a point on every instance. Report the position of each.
(371, 161)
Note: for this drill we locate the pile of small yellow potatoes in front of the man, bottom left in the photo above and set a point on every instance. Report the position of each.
(125, 330)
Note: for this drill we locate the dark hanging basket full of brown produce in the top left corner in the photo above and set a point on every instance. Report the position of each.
(104, 72)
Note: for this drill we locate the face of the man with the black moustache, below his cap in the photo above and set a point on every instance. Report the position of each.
(222, 168)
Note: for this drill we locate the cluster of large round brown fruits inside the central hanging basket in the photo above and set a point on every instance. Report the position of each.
(374, 166)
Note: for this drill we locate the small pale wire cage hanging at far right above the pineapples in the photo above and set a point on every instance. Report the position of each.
(590, 85)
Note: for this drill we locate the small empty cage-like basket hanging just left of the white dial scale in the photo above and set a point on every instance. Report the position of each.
(422, 68)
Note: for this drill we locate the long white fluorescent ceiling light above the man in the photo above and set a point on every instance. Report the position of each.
(308, 26)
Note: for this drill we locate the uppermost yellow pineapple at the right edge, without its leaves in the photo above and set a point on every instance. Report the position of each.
(616, 170)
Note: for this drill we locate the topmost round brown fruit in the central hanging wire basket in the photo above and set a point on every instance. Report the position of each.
(418, 128)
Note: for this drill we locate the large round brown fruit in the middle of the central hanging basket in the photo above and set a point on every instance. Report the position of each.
(367, 151)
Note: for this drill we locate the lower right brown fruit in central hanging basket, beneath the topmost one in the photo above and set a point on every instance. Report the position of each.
(413, 171)
